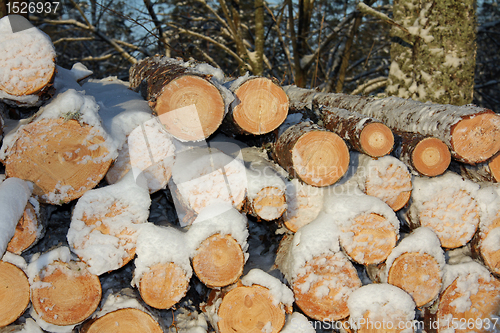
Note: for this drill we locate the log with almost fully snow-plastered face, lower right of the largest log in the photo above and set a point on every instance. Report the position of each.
(105, 222)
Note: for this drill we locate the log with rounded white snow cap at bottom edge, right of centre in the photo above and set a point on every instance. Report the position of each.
(381, 308)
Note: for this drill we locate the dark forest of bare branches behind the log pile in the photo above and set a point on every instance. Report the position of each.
(328, 44)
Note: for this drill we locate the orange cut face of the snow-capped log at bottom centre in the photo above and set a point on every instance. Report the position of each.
(250, 310)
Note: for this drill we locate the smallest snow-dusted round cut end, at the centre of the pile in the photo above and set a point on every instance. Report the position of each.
(270, 203)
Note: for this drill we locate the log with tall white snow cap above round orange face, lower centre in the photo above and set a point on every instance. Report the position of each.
(219, 245)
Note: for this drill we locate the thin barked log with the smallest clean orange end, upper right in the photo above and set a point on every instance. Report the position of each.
(364, 134)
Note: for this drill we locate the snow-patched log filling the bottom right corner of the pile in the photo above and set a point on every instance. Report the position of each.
(469, 302)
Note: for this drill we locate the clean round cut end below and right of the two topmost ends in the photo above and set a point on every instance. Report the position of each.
(320, 158)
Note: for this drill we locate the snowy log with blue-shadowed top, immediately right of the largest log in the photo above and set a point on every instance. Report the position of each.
(142, 141)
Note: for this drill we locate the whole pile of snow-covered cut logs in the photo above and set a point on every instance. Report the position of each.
(375, 220)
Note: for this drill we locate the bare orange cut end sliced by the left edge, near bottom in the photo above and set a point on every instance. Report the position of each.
(14, 293)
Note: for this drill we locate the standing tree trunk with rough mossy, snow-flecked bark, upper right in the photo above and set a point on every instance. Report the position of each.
(436, 61)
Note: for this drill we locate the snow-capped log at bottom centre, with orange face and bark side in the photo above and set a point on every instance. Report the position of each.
(257, 303)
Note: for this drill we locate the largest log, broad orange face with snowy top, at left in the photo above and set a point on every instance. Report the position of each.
(61, 169)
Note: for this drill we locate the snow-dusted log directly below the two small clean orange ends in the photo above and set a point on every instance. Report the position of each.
(386, 178)
